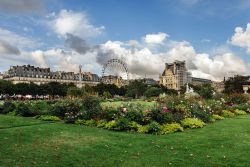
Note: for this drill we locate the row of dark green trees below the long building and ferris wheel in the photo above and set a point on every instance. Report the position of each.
(135, 89)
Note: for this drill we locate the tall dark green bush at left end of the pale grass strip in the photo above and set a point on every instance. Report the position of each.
(92, 107)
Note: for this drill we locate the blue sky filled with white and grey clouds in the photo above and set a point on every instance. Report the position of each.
(212, 36)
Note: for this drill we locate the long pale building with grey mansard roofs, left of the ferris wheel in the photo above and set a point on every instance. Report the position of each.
(37, 75)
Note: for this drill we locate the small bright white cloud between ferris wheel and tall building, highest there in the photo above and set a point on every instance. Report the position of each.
(155, 38)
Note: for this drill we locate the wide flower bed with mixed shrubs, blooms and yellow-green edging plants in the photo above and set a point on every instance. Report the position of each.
(167, 115)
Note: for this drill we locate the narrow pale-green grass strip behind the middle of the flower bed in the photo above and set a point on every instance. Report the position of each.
(144, 104)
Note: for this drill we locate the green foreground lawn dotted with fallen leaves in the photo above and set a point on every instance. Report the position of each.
(224, 143)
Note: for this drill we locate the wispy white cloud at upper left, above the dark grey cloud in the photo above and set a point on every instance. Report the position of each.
(75, 23)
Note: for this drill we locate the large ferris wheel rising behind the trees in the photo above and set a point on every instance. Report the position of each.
(115, 67)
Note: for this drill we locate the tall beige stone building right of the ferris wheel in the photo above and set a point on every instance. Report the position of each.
(175, 75)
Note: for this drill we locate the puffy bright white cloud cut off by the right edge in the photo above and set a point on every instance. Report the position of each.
(241, 38)
